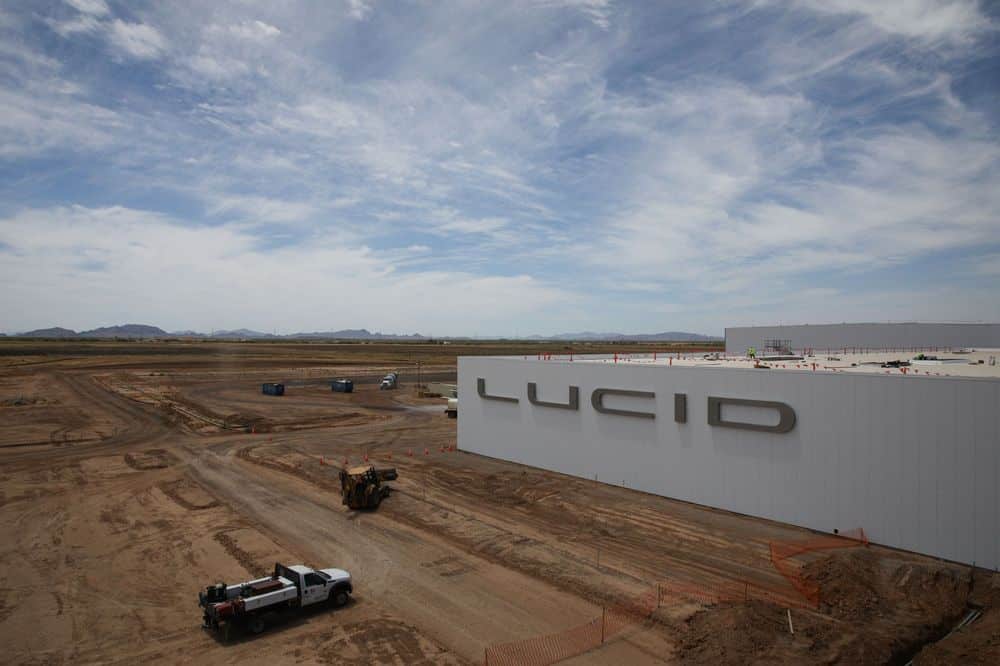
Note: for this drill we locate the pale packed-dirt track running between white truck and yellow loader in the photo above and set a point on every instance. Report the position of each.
(458, 611)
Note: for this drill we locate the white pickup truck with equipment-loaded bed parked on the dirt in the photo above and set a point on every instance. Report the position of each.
(288, 588)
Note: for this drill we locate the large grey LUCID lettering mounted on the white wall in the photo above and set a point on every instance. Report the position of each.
(786, 415)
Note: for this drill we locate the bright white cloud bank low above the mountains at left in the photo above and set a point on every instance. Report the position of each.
(107, 264)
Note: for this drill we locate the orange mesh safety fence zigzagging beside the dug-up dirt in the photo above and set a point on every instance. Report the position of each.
(555, 647)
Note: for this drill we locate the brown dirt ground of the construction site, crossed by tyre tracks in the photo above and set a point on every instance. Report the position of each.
(134, 474)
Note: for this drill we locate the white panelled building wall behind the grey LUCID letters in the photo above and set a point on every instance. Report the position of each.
(914, 461)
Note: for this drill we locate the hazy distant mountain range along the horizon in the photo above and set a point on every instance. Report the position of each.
(142, 331)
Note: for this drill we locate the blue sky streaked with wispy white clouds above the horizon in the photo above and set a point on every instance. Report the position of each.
(498, 168)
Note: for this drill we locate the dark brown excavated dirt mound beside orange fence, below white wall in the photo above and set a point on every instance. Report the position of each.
(874, 610)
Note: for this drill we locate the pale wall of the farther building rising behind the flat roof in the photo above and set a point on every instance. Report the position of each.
(869, 336)
